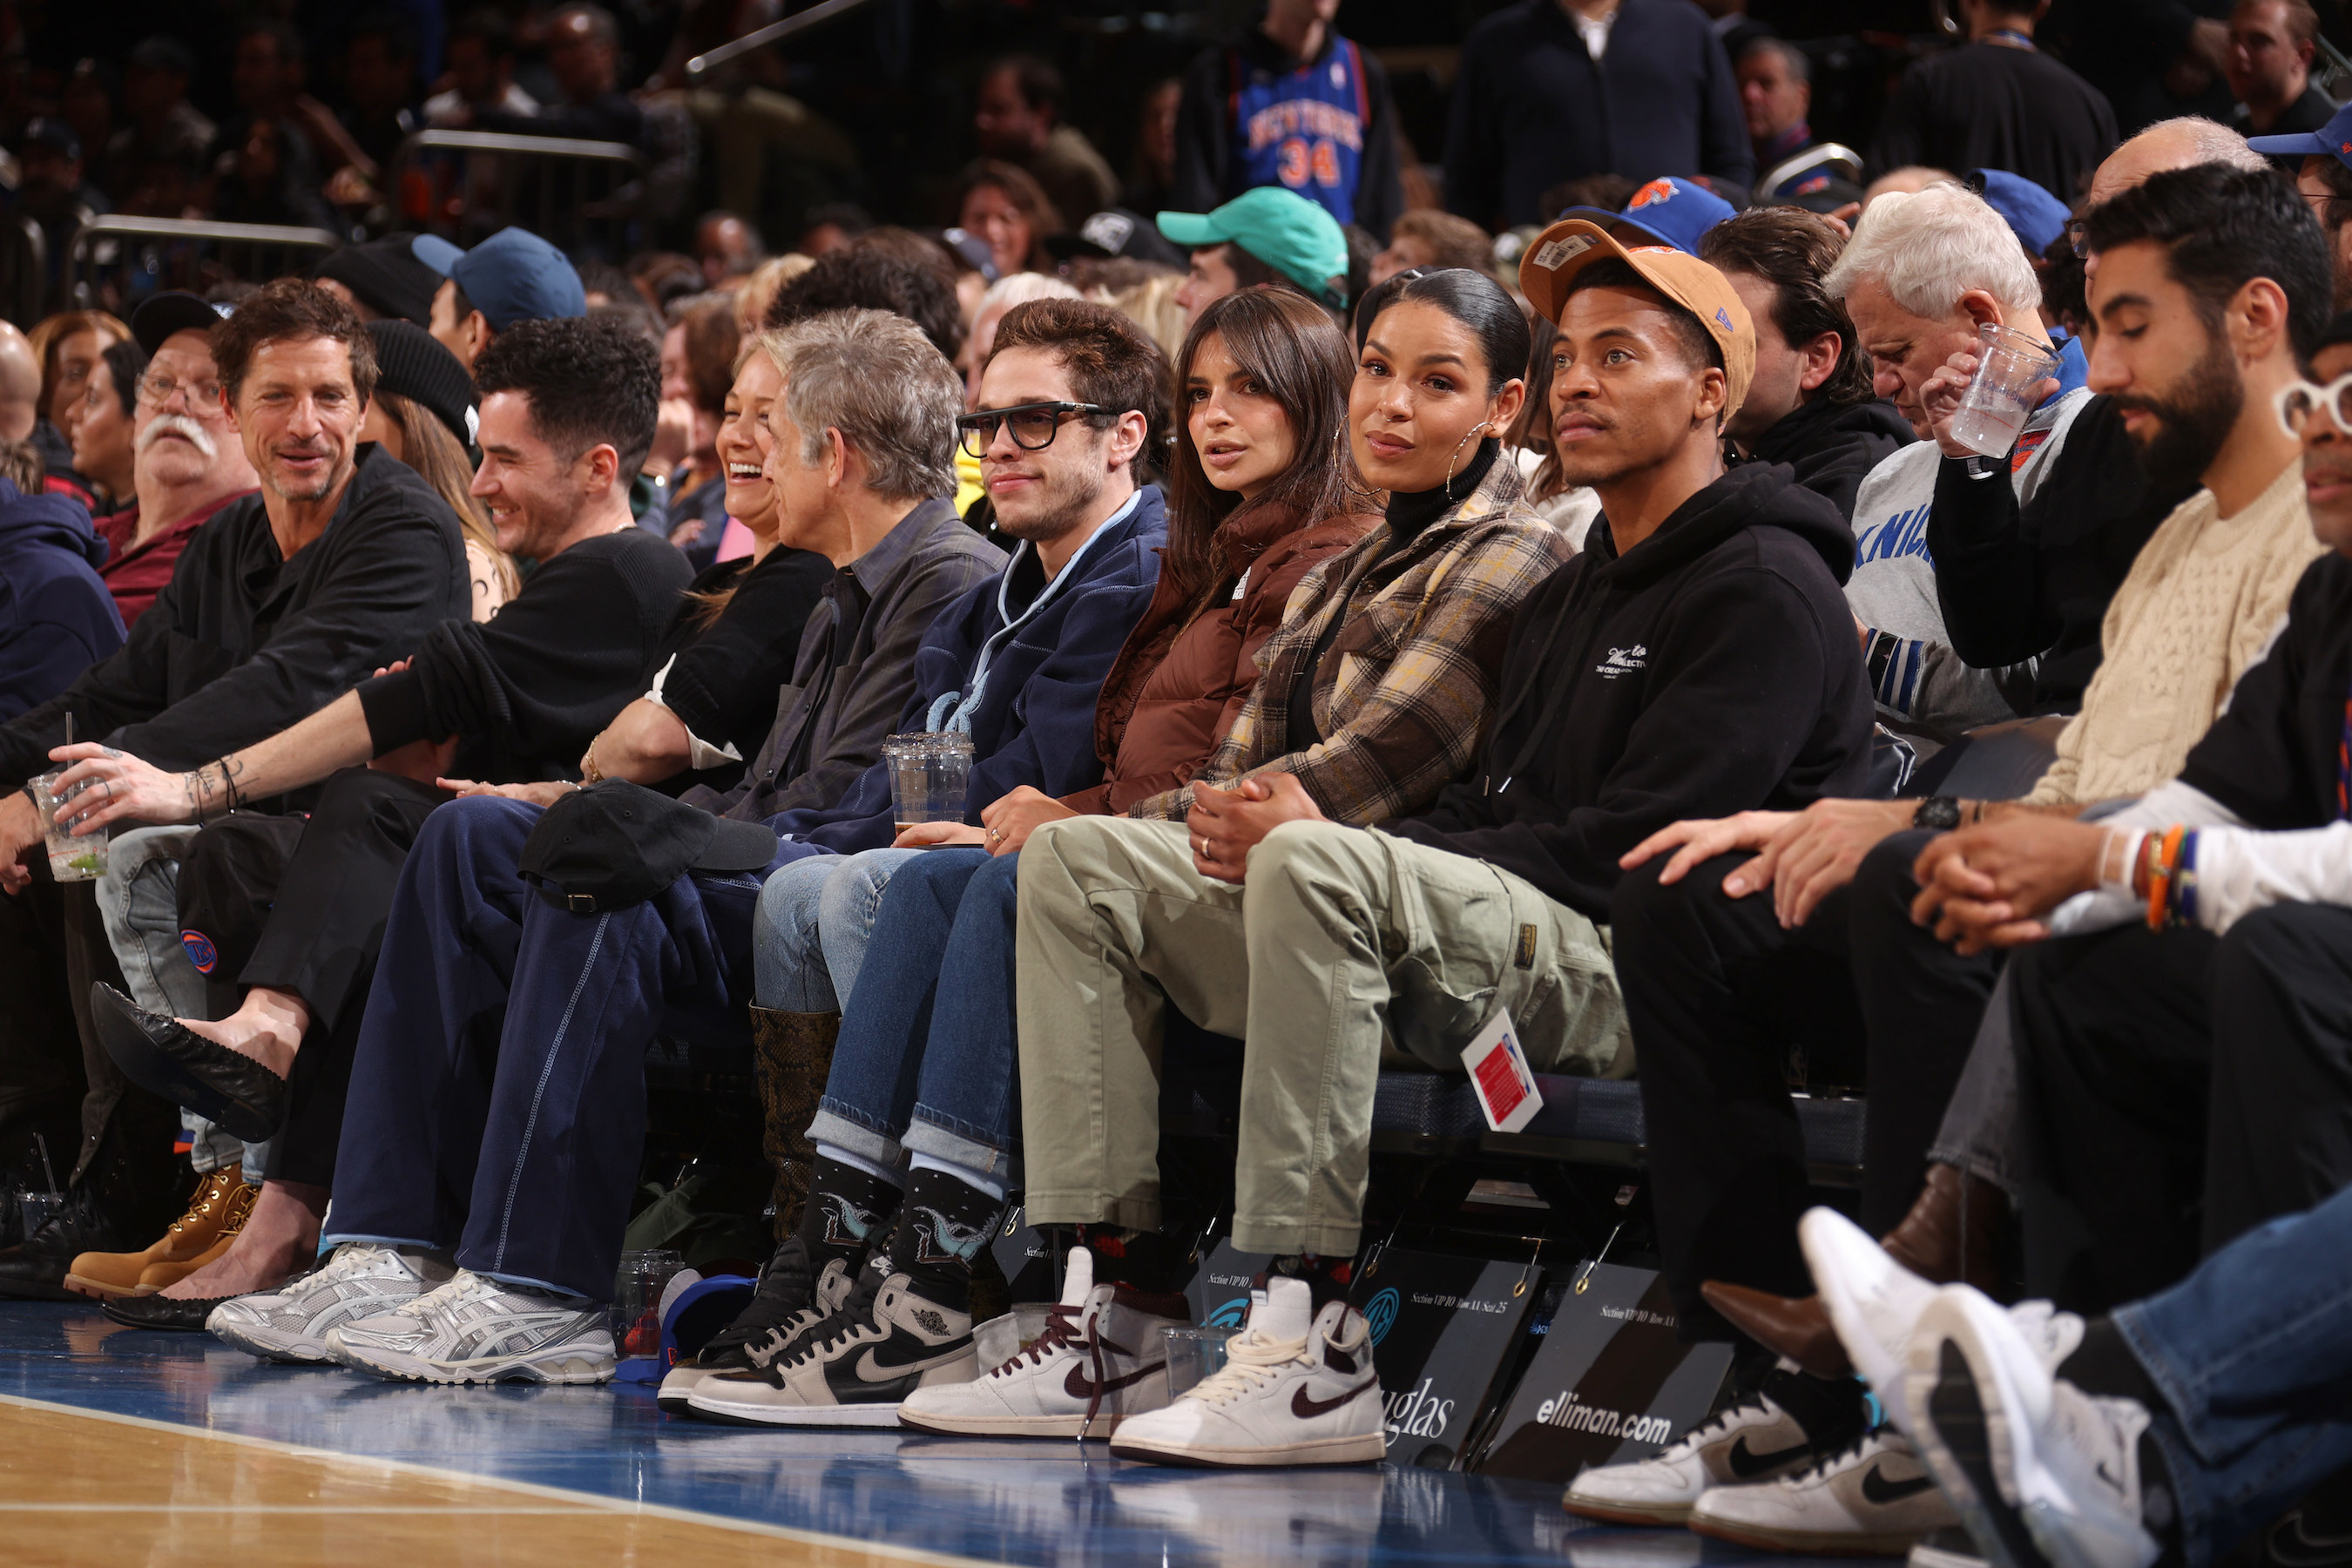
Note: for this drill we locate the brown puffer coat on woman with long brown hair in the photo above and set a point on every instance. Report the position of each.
(1180, 683)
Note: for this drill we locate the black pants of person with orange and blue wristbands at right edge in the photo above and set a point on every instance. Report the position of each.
(2179, 1092)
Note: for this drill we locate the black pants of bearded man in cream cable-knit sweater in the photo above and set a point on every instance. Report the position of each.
(1720, 993)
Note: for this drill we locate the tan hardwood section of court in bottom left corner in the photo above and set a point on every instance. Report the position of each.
(121, 1489)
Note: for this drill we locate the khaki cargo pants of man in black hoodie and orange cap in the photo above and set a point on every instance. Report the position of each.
(1337, 937)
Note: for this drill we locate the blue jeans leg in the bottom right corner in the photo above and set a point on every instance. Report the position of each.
(2254, 1353)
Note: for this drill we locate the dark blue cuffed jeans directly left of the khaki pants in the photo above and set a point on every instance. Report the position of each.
(928, 1059)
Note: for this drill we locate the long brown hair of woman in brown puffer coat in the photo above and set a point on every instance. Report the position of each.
(1290, 347)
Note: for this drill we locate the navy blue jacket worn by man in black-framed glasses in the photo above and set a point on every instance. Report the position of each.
(1036, 716)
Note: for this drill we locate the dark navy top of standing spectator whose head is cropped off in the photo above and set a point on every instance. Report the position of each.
(1532, 107)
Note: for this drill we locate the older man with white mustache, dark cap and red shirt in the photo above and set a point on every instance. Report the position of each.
(189, 462)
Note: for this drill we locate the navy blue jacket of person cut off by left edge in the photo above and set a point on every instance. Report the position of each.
(55, 612)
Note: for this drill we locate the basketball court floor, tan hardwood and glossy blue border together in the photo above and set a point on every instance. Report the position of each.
(123, 1447)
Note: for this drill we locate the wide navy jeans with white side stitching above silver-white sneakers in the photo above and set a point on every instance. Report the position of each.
(497, 1099)
